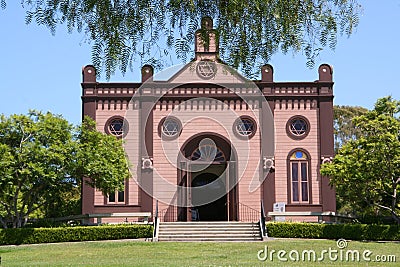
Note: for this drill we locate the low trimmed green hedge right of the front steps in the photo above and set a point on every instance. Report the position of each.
(335, 231)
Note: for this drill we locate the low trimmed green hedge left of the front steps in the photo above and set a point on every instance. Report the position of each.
(71, 234)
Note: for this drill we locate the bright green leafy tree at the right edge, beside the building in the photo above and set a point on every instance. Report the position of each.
(366, 170)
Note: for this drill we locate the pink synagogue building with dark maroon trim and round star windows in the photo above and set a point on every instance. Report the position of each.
(206, 144)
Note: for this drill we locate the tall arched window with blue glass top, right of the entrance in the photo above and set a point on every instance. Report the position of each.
(299, 165)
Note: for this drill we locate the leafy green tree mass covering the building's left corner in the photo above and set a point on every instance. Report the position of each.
(43, 157)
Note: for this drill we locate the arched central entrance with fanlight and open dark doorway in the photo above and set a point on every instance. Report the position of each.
(207, 178)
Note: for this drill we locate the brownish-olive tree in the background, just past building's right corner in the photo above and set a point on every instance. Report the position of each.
(344, 129)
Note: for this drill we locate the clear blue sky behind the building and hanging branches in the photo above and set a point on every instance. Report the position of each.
(43, 72)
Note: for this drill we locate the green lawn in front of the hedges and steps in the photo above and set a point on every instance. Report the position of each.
(140, 253)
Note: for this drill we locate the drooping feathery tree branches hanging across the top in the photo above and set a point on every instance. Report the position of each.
(250, 32)
